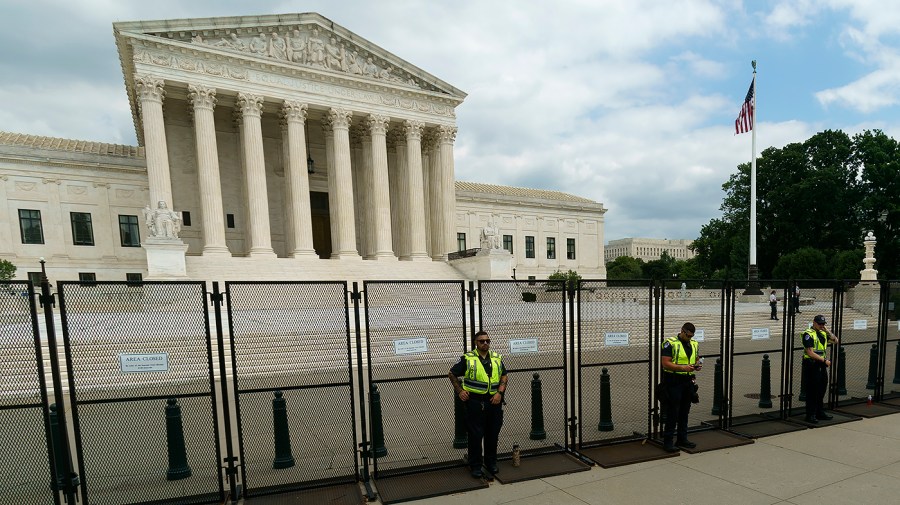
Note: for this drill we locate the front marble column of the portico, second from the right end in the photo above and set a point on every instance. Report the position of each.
(417, 245)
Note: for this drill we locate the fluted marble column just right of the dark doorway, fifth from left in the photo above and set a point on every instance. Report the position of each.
(342, 212)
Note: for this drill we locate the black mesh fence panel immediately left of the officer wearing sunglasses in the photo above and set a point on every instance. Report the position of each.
(415, 332)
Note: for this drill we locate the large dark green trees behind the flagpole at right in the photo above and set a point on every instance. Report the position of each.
(822, 194)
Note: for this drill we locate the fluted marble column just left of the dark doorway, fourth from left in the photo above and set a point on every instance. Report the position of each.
(300, 217)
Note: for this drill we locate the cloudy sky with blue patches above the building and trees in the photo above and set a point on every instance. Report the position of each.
(628, 102)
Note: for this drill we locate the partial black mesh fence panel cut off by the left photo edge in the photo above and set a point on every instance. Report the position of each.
(25, 468)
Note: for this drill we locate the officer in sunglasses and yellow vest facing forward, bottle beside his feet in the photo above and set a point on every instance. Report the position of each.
(482, 391)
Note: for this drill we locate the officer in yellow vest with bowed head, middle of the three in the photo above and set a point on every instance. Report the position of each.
(679, 362)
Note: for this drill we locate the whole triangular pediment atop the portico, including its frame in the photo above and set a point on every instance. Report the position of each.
(307, 40)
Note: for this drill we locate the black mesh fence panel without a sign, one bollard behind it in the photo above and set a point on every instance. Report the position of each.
(292, 377)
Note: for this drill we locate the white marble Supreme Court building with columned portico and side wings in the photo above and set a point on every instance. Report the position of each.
(274, 147)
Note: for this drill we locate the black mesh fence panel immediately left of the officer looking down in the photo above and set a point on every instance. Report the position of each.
(614, 340)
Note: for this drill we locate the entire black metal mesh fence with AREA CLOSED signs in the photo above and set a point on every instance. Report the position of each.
(157, 407)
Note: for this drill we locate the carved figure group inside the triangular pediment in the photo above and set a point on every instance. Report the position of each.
(307, 46)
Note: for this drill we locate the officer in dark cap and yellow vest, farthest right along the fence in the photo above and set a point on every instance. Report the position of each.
(815, 368)
